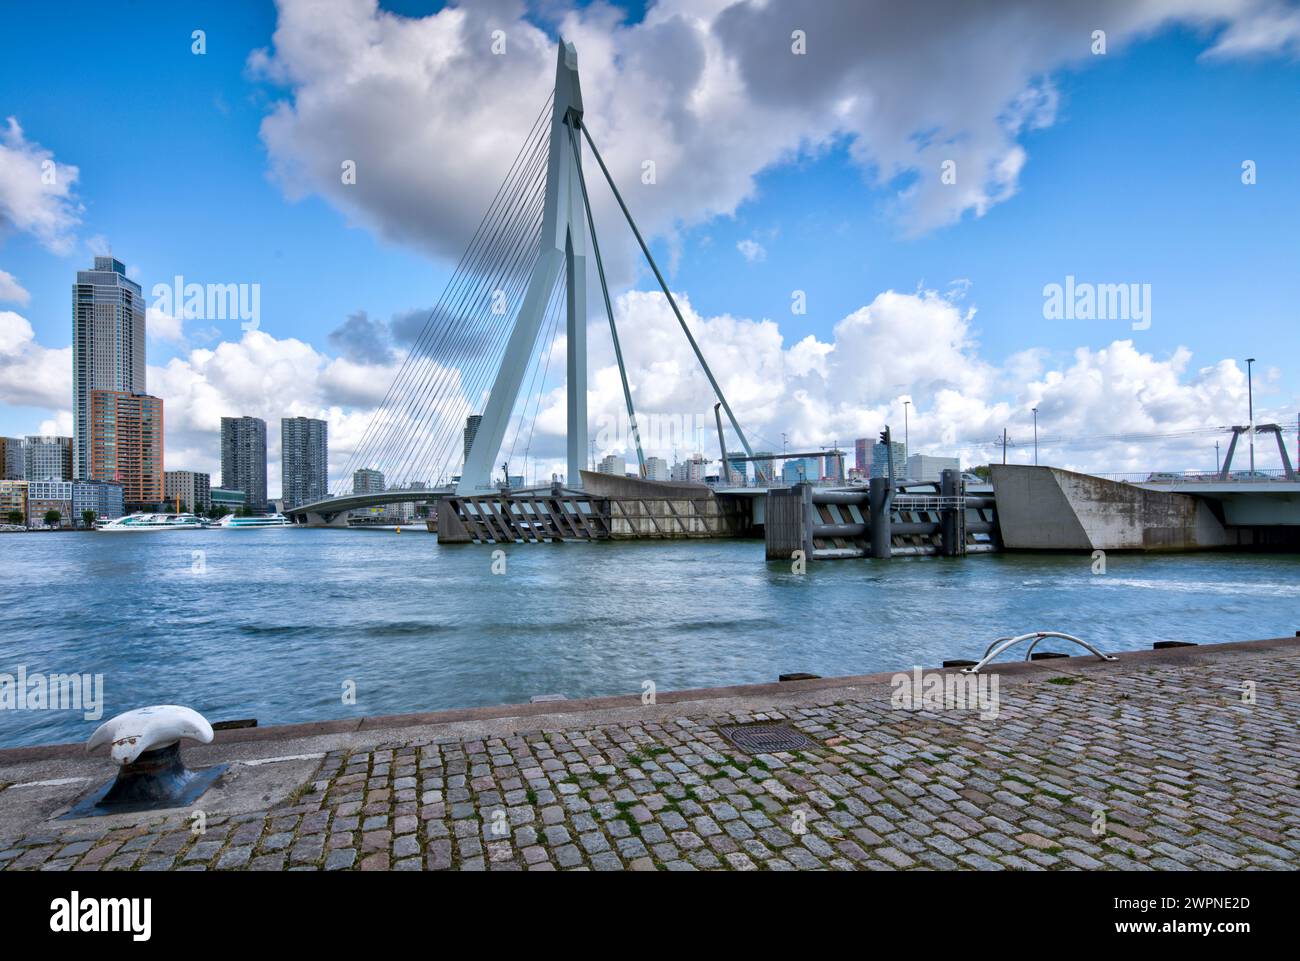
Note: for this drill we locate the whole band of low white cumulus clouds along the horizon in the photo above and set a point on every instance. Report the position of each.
(1094, 405)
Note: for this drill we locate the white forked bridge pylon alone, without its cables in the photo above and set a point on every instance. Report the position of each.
(564, 248)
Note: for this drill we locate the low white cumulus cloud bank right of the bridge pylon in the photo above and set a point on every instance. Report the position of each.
(921, 348)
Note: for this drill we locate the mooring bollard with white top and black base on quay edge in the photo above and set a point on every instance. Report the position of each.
(146, 746)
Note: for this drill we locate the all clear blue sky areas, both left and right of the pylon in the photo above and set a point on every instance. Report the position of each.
(1136, 180)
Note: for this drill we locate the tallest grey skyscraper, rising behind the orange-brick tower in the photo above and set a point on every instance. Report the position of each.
(109, 345)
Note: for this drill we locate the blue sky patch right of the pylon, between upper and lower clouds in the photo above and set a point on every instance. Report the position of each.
(1138, 181)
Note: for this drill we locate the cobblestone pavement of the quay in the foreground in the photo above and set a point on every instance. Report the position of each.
(1165, 767)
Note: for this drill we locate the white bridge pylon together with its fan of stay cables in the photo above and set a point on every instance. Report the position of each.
(493, 330)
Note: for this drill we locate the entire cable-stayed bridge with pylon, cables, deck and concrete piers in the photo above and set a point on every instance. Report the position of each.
(489, 340)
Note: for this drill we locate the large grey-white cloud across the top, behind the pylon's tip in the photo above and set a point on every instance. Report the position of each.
(712, 93)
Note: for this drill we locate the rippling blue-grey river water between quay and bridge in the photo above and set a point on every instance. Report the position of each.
(280, 620)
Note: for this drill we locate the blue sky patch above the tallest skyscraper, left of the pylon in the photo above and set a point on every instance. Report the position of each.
(174, 174)
